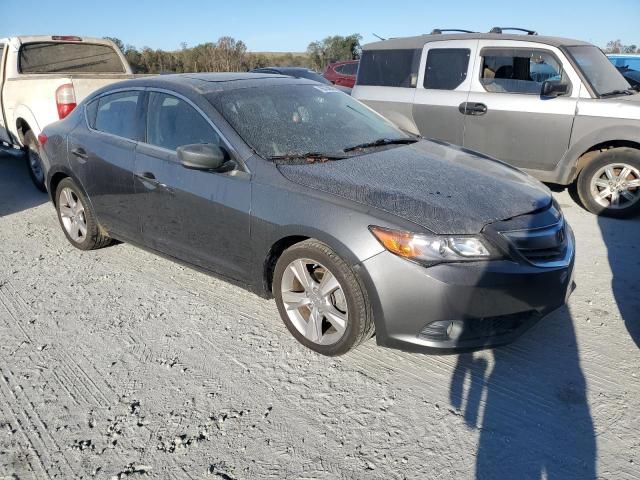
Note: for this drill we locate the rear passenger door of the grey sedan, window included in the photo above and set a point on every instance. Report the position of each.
(102, 152)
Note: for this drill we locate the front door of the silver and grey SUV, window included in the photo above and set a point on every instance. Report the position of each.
(506, 116)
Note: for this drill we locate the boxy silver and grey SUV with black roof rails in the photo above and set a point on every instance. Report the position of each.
(554, 107)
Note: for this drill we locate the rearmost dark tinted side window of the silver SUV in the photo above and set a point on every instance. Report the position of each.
(389, 68)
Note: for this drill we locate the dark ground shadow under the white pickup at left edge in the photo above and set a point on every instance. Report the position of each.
(17, 192)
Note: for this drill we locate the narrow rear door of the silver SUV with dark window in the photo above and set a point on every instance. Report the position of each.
(443, 86)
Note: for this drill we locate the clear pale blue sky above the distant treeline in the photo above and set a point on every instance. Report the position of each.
(291, 25)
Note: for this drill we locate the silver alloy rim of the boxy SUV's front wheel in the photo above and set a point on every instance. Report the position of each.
(616, 186)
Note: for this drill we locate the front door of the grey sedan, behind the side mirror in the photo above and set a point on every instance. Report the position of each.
(198, 216)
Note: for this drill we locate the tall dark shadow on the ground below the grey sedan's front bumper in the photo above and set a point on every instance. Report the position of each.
(528, 401)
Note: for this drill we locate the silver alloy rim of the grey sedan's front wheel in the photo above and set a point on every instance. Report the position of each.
(314, 301)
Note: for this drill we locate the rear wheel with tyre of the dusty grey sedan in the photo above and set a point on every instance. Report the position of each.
(77, 219)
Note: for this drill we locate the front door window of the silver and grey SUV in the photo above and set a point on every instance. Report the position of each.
(518, 70)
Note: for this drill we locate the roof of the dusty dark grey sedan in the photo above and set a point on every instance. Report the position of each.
(207, 83)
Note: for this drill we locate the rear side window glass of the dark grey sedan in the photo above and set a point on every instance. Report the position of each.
(117, 114)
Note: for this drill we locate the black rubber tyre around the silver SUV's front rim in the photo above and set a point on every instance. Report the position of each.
(629, 156)
